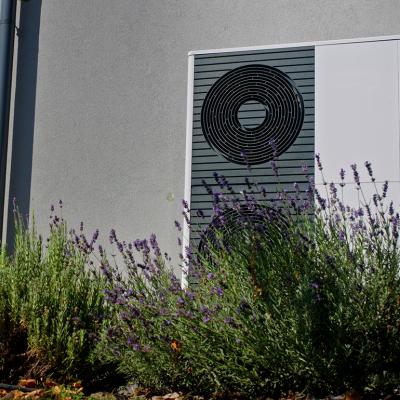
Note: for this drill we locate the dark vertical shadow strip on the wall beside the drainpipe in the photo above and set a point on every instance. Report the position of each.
(24, 111)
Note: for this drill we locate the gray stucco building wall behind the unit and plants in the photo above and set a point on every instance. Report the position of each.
(109, 108)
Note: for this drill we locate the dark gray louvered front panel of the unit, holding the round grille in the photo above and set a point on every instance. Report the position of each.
(247, 98)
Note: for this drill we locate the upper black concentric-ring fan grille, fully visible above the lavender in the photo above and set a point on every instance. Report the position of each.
(281, 122)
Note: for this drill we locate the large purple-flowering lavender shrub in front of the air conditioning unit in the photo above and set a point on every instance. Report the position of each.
(298, 297)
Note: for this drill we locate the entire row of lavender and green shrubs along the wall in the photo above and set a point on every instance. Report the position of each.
(304, 296)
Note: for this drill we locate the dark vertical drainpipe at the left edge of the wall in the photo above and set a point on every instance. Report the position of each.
(7, 25)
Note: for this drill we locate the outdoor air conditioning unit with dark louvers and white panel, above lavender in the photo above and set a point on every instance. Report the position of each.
(338, 98)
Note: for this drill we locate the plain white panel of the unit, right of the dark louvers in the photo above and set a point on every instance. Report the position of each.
(357, 111)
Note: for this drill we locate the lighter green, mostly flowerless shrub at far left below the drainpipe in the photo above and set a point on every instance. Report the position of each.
(51, 301)
